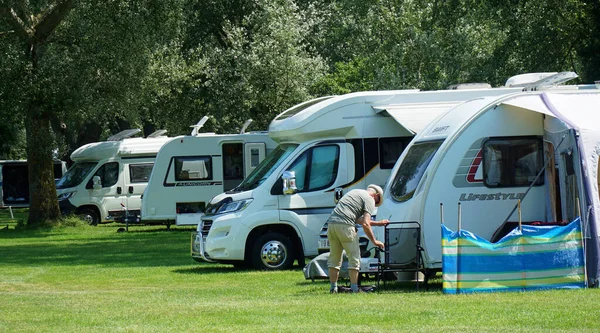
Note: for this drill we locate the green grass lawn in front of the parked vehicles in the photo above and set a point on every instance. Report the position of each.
(94, 279)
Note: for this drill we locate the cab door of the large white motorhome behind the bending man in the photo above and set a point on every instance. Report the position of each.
(317, 171)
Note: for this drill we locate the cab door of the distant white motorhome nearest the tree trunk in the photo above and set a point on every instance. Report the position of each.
(110, 195)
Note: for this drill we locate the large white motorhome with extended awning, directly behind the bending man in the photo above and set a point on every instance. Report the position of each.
(346, 142)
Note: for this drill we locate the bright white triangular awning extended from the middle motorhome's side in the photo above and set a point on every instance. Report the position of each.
(414, 117)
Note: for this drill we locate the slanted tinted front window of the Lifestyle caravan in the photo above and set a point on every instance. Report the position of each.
(412, 168)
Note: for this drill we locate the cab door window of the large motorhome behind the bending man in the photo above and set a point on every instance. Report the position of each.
(316, 168)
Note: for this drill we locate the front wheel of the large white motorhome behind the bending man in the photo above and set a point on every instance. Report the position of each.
(273, 251)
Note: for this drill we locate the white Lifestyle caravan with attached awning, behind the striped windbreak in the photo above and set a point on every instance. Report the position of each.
(473, 164)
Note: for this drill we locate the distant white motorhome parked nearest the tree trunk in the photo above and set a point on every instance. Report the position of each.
(108, 178)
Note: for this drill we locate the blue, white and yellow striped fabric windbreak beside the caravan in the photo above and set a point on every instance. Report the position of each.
(538, 257)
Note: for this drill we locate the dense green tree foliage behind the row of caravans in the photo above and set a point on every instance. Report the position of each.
(80, 74)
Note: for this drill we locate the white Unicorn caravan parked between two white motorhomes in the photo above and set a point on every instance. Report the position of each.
(190, 170)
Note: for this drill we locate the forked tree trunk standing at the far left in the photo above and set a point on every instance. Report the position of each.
(33, 27)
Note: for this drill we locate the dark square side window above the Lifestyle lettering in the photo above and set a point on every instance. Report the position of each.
(511, 162)
